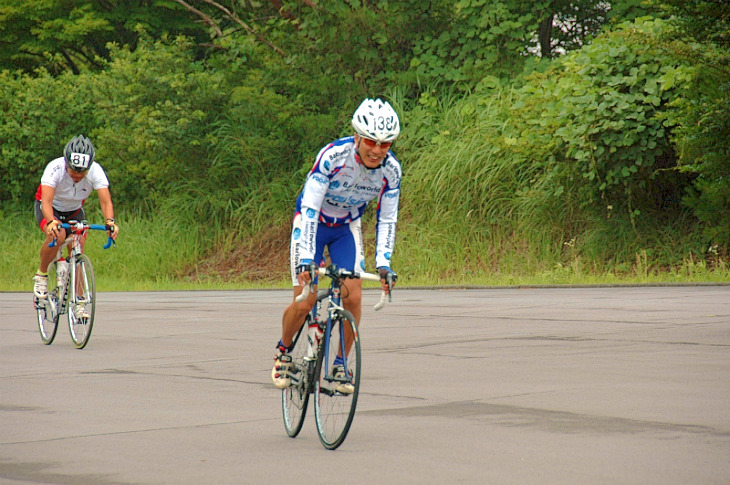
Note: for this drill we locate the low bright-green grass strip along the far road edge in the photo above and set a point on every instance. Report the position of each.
(157, 257)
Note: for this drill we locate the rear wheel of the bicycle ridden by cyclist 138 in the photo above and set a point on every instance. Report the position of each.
(295, 398)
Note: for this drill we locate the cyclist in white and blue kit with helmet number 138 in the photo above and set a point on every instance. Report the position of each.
(347, 174)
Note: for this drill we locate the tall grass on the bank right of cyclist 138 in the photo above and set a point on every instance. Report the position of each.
(473, 209)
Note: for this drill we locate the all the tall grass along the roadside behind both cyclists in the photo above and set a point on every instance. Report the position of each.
(473, 211)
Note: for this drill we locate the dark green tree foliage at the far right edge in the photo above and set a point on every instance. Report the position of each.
(704, 126)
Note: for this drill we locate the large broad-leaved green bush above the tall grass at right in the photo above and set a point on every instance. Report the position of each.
(600, 121)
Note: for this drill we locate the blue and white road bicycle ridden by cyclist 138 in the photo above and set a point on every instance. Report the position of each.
(326, 361)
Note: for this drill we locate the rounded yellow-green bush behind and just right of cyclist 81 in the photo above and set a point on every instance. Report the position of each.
(155, 109)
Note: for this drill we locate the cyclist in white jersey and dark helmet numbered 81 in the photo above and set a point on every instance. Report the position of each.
(65, 184)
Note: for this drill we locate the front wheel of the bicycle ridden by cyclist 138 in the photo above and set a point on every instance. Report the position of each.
(335, 396)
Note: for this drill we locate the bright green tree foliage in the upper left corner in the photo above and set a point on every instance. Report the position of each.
(70, 35)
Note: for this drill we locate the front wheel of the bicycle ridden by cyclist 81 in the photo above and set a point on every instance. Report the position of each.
(82, 301)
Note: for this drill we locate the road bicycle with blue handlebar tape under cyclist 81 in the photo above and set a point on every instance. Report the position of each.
(77, 300)
